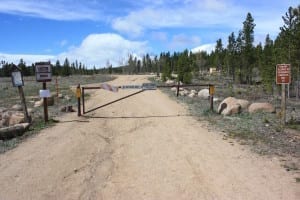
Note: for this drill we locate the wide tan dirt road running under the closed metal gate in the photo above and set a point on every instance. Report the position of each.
(145, 147)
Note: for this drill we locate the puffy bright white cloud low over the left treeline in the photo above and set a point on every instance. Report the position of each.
(95, 50)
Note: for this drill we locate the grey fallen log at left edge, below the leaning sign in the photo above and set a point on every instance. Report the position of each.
(13, 131)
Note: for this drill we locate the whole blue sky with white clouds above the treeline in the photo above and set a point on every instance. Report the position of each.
(96, 32)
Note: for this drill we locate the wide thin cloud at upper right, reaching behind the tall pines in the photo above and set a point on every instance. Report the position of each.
(223, 15)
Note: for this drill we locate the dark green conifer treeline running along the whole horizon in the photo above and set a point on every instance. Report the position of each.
(240, 60)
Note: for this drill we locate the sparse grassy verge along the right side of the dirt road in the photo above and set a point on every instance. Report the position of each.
(262, 132)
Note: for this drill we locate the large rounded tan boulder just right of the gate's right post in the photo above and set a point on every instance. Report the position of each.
(229, 106)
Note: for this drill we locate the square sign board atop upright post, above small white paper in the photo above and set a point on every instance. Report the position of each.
(43, 72)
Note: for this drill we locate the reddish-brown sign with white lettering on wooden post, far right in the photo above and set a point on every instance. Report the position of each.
(283, 77)
